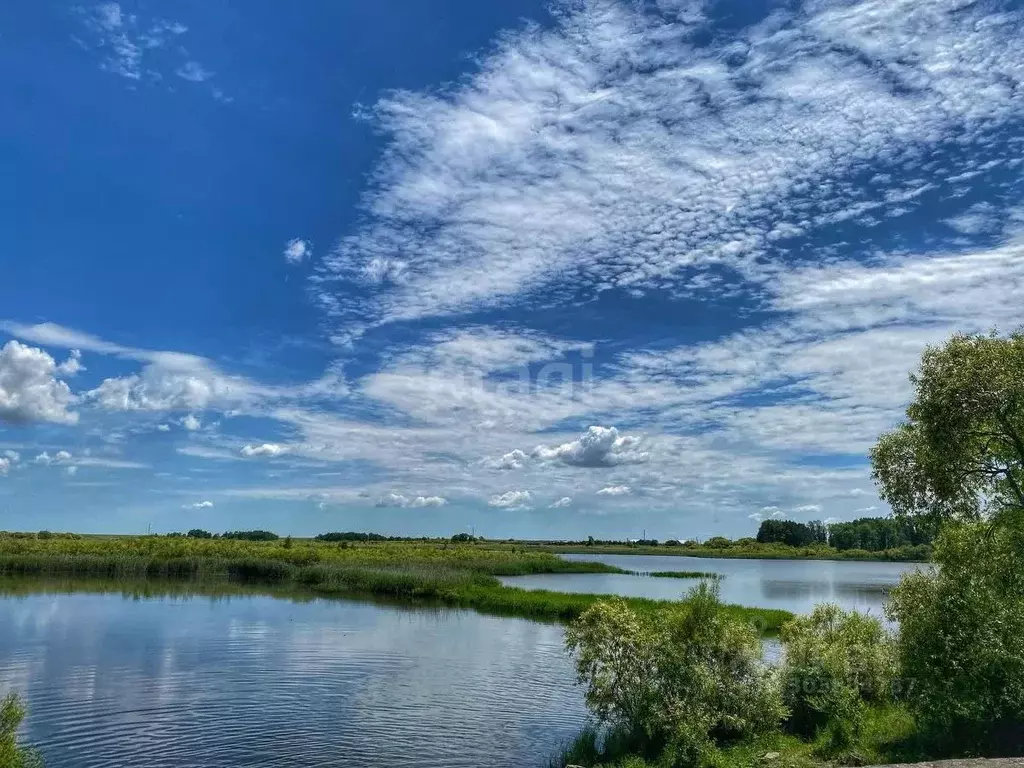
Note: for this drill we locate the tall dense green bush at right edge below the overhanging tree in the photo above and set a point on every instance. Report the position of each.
(961, 644)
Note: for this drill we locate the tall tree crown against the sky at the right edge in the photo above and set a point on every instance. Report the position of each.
(960, 455)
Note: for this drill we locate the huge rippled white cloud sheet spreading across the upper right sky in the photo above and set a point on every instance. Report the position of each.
(526, 173)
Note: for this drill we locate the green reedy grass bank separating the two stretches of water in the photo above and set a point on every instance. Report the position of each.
(410, 573)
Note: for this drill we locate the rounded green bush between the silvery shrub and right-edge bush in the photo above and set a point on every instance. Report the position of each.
(836, 661)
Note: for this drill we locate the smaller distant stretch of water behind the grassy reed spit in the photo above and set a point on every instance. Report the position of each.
(792, 585)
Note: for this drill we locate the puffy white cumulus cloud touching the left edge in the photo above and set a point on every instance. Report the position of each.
(30, 390)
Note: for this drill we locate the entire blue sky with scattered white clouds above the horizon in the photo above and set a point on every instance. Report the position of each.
(546, 271)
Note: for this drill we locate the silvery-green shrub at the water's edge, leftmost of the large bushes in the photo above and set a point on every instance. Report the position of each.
(687, 679)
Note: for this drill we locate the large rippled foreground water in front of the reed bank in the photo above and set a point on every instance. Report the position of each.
(260, 681)
